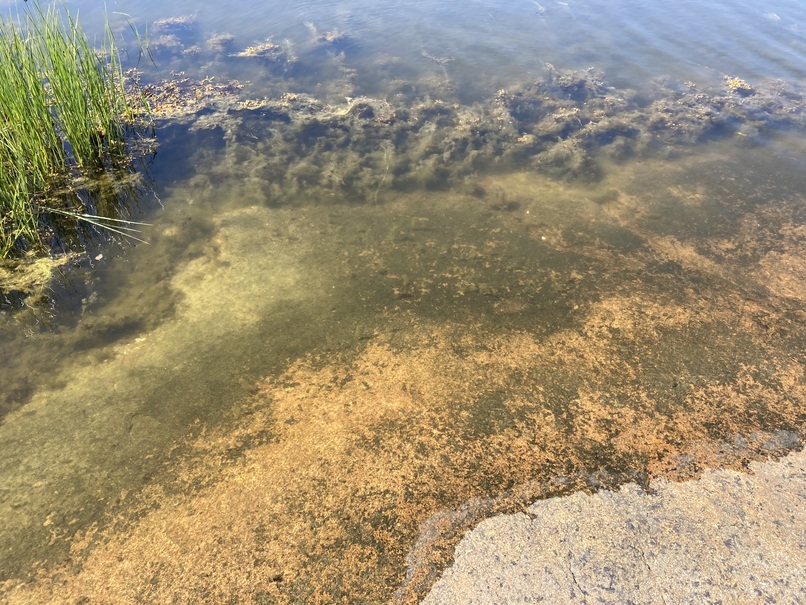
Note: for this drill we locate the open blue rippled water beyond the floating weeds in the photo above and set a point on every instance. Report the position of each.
(632, 39)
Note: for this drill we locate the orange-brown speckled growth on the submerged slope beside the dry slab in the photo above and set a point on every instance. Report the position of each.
(344, 459)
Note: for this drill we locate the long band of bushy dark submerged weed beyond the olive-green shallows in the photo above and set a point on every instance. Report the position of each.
(563, 126)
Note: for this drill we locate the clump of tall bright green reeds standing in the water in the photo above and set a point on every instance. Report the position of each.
(65, 112)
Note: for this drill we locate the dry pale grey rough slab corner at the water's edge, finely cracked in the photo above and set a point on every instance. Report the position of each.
(726, 538)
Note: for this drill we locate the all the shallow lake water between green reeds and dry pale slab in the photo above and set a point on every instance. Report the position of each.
(408, 267)
